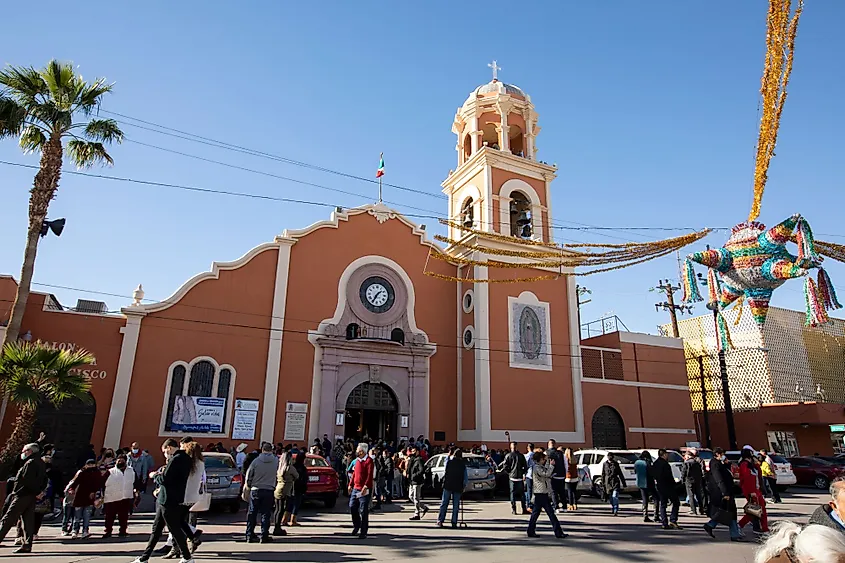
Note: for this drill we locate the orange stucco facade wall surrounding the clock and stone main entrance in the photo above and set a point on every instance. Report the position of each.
(317, 262)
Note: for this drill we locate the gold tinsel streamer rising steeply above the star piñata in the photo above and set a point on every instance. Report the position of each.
(780, 50)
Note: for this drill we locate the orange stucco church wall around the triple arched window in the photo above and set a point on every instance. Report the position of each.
(227, 319)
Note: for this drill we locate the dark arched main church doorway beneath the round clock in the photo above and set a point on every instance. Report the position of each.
(371, 411)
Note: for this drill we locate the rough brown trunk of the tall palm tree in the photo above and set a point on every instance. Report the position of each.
(43, 191)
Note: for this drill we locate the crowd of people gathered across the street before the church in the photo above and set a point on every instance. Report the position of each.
(375, 472)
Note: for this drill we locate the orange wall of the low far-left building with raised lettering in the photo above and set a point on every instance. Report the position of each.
(99, 334)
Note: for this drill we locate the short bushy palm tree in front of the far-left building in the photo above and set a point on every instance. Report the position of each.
(31, 372)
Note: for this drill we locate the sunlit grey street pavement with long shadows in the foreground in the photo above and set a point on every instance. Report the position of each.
(493, 534)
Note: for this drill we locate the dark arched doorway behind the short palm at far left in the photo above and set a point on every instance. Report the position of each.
(69, 428)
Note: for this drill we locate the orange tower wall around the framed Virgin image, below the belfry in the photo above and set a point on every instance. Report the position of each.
(514, 386)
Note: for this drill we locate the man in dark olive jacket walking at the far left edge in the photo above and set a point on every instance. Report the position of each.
(30, 482)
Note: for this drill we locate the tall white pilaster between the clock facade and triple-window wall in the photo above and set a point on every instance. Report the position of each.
(274, 348)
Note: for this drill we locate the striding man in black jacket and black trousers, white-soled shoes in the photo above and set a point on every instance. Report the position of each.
(171, 483)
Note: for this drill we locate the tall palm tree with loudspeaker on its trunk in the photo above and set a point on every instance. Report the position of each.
(41, 107)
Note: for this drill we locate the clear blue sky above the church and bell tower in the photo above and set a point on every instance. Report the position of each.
(648, 109)
